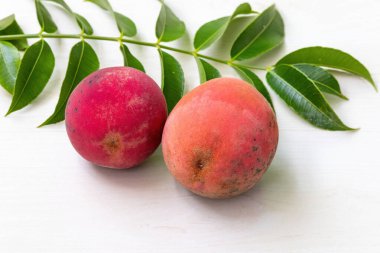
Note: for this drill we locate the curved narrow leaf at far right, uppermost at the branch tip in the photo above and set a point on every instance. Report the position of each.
(328, 57)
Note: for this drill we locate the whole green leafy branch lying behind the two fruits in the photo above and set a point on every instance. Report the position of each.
(301, 78)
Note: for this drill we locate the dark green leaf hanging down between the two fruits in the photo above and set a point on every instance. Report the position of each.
(173, 80)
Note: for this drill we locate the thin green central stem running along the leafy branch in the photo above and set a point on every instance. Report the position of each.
(130, 41)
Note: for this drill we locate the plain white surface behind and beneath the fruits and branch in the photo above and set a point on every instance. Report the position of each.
(321, 194)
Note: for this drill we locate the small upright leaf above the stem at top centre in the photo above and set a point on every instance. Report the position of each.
(169, 27)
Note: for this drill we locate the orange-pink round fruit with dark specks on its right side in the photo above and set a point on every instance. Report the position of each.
(220, 138)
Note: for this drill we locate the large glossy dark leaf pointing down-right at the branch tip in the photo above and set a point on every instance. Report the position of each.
(301, 94)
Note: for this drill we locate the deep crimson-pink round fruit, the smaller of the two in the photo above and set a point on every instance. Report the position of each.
(115, 117)
